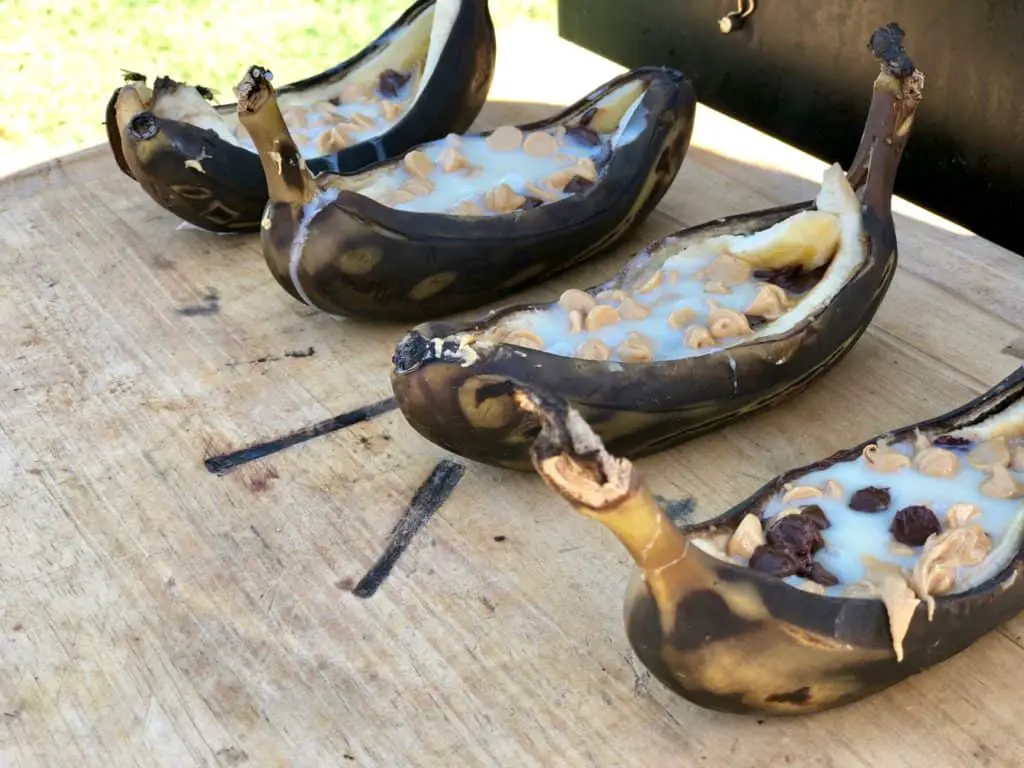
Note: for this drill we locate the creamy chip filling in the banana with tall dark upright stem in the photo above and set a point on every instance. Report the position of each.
(710, 295)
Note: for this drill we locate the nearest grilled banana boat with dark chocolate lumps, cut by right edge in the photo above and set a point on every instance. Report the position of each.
(834, 581)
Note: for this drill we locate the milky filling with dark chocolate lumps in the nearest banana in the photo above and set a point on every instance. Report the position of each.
(904, 523)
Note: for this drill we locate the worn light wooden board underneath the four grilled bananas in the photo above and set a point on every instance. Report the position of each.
(155, 614)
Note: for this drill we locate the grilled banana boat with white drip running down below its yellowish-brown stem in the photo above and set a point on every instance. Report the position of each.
(471, 219)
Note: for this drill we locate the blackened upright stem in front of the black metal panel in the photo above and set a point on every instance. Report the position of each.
(898, 93)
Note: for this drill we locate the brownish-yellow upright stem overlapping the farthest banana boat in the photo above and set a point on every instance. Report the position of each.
(288, 180)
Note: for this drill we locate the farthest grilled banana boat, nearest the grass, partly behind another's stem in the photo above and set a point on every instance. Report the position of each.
(428, 75)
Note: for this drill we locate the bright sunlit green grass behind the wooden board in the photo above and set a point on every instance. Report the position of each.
(66, 56)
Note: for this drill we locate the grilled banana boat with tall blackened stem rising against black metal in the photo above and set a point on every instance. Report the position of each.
(702, 328)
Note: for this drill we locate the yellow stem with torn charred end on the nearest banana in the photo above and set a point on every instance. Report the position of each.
(574, 463)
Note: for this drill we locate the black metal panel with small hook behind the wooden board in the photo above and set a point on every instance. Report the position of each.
(799, 70)
